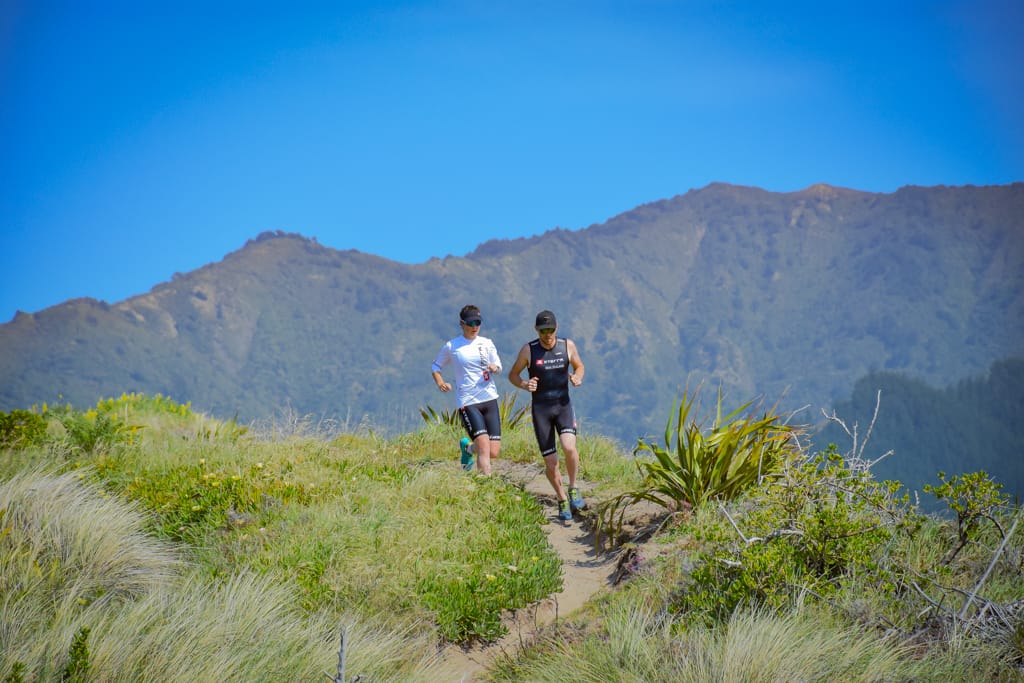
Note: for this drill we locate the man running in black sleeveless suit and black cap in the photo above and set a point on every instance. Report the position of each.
(550, 361)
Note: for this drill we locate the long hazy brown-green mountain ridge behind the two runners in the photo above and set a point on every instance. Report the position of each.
(766, 293)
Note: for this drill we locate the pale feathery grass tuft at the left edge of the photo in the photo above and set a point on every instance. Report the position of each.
(68, 547)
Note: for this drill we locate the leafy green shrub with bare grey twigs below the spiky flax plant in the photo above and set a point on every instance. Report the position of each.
(810, 530)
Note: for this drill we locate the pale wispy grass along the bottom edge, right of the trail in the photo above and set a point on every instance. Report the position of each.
(639, 643)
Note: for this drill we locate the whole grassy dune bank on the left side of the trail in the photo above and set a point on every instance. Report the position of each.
(189, 547)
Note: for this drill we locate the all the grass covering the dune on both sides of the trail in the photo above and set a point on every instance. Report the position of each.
(152, 543)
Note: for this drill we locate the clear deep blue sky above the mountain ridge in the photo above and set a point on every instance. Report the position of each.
(140, 140)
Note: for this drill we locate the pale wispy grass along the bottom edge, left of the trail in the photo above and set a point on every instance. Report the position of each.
(247, 630)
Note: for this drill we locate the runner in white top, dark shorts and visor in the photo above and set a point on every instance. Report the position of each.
(477, 363)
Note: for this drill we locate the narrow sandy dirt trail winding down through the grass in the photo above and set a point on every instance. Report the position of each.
(585, 573)
